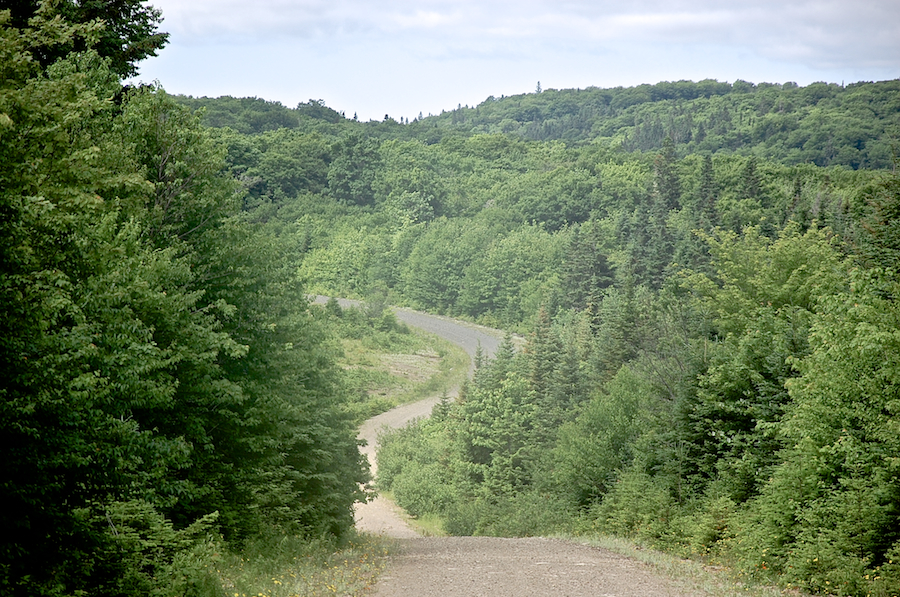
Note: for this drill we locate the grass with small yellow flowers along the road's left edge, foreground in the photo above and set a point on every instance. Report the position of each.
(291, 566)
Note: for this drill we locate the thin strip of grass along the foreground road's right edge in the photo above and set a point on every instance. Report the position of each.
(691, 576)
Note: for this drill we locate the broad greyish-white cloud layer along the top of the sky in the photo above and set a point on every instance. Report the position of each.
(820, 33)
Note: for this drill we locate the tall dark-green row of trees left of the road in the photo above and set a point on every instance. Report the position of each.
(166, 391)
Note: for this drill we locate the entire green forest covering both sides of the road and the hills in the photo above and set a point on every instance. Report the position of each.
(706, 273)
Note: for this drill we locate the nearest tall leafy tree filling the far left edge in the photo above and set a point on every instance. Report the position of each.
(87, 308)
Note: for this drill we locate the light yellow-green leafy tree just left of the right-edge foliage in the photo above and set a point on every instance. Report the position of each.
(763, 296)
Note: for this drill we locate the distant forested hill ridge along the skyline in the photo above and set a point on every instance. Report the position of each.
(823, 124)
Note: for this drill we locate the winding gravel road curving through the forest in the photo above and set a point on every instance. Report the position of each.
(489, 566)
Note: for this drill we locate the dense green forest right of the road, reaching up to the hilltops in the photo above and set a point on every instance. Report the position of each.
(710, 301)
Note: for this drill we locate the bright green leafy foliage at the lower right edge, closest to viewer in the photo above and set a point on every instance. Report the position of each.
(836, 471)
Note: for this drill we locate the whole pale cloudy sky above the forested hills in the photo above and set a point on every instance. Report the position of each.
(403, 57)
